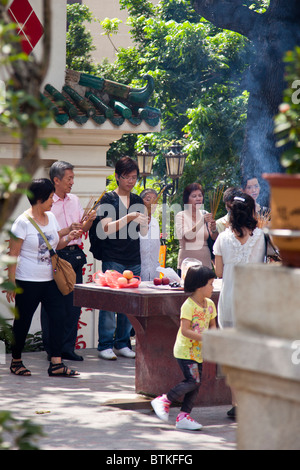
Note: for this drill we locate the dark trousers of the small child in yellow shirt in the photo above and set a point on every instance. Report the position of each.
(189, 387)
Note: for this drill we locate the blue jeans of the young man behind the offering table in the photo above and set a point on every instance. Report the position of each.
(115, 332)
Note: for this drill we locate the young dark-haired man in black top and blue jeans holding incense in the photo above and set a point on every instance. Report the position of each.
(123, 217)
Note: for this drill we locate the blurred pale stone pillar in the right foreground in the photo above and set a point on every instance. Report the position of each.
(261, 356)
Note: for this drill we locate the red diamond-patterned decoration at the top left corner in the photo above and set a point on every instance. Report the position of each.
(29, 26)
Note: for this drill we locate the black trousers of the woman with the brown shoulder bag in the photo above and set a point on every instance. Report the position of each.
(34, 293)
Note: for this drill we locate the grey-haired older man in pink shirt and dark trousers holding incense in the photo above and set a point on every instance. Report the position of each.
(70, 216)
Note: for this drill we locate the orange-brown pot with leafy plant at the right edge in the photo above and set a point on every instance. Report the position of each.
(285, 188)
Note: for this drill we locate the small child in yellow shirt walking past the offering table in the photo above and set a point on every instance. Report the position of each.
(198, 313)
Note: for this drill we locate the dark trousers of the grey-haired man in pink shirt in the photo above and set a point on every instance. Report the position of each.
(71, 316)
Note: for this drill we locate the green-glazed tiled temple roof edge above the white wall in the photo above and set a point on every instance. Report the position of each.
(87, 97)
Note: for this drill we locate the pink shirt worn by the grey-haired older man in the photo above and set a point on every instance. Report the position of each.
(67, 211)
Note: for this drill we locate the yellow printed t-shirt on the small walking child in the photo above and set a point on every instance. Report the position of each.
(186, 348)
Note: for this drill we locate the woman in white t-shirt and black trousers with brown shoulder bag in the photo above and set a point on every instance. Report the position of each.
(33, 275)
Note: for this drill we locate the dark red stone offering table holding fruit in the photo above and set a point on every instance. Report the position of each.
(154, 313)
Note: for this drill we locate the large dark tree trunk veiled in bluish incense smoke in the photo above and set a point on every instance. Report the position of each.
(272, 34)
